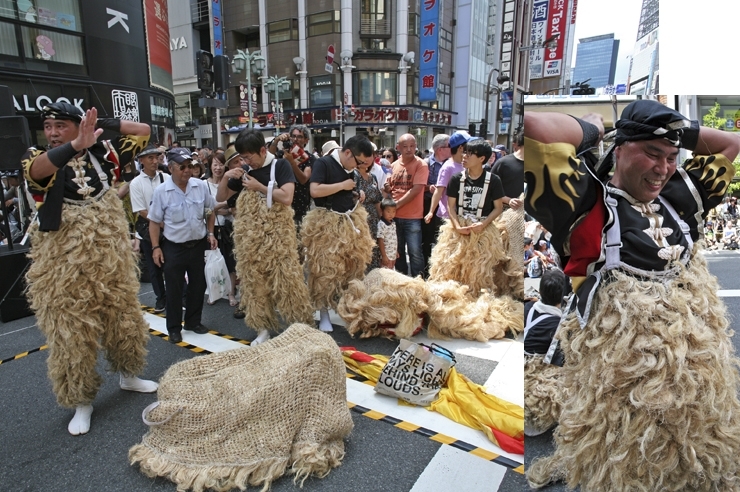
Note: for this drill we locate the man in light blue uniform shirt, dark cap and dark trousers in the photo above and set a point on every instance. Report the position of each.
(185, 206)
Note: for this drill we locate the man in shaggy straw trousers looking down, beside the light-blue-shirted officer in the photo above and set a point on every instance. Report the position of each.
(265, 240)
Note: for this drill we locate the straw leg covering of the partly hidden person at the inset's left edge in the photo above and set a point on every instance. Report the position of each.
(542, 394)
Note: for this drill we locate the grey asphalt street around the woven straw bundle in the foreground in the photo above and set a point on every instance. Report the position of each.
(38, 454)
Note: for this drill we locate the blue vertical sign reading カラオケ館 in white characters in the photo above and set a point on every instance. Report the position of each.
(429, 48)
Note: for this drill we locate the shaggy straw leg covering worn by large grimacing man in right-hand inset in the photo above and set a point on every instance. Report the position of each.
(651, 386)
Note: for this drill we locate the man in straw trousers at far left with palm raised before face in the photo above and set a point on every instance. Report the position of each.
(83, 283)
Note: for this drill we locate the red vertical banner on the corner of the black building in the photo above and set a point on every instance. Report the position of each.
(158, 44)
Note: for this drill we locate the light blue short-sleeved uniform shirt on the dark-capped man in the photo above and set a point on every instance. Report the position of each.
(182, 213)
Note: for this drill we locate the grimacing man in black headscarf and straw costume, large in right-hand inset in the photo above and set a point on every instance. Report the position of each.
(650, 377)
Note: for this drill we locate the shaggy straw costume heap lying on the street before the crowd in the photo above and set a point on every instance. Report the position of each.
(387, 297)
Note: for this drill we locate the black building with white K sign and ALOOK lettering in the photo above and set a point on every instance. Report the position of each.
(110, 55)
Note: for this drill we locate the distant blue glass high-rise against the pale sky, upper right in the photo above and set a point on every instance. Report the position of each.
(596, 60)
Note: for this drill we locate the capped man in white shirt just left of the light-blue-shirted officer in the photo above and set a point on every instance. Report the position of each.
(141, 190)
